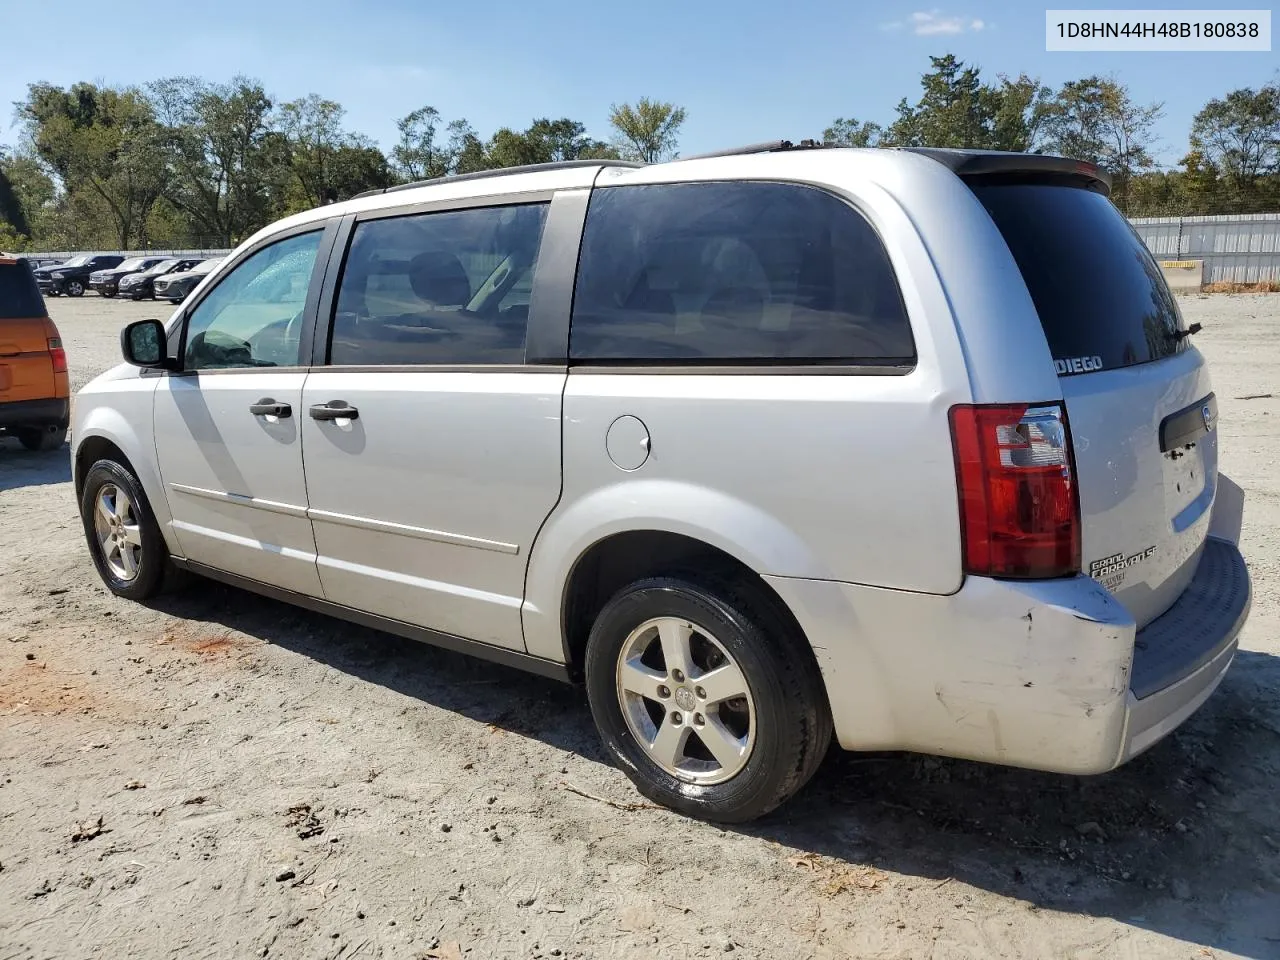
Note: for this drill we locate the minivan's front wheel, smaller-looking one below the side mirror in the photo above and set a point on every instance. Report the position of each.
(124, 537)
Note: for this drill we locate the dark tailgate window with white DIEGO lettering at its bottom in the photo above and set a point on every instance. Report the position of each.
(1100, 295)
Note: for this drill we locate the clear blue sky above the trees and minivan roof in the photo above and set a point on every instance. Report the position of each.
(747, 71)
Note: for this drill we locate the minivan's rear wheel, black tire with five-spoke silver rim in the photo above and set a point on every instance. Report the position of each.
(707, 698)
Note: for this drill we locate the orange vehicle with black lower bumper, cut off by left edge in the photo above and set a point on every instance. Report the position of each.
(34, 388)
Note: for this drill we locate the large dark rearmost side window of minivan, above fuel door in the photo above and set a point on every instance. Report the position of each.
(725, 272)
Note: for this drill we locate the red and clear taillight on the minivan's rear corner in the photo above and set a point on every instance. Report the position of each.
(1020, 513)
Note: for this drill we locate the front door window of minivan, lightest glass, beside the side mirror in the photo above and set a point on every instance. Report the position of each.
(254, 316)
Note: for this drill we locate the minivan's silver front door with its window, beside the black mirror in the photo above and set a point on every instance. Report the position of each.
(228, 426)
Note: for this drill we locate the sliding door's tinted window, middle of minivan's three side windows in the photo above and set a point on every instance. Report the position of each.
(438, 289)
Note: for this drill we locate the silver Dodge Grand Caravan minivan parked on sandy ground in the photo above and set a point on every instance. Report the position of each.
(906, 449)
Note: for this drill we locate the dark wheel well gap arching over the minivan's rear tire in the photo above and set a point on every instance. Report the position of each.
(624, 559)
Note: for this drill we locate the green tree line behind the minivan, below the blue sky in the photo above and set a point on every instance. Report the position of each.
(188, 162)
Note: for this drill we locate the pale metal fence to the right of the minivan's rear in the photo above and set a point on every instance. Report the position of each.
(1237, 249)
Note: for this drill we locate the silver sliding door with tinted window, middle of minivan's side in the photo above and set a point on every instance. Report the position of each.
(432, 449)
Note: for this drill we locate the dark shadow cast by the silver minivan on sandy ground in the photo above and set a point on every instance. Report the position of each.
(1183, 842)
